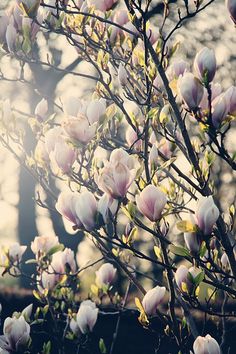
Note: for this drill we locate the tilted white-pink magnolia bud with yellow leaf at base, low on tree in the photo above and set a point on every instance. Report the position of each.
(152, 299)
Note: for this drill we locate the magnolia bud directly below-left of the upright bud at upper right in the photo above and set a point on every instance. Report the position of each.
(191, 90)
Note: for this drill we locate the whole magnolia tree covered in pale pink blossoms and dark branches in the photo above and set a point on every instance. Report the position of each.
(138, 164)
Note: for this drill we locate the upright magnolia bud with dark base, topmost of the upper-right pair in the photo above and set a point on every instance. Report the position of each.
(205, 64)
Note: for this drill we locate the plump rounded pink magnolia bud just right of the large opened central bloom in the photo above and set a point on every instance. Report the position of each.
(151, 202)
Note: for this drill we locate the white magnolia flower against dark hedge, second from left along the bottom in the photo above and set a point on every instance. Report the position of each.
(86, 318)
